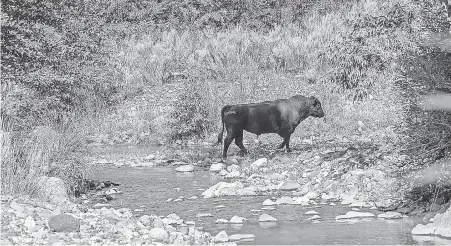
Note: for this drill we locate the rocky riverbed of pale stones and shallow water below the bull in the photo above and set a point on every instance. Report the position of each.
(305, 185)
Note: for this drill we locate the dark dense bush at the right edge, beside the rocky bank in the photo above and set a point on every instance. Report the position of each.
(428, 133)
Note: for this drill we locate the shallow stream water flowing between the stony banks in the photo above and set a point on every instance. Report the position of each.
(153, 186)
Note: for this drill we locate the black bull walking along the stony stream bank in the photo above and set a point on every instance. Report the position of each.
(281, 116)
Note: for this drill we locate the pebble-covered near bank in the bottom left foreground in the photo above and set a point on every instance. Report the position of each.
(26, 221)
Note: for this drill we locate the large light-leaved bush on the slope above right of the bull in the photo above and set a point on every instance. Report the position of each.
(372, 36)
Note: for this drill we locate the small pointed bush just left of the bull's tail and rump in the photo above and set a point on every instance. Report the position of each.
(190, 115)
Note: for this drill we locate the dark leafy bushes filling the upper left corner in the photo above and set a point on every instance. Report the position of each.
(53, 52)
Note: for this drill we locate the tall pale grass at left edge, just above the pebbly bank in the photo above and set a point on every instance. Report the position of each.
(54, 149)
